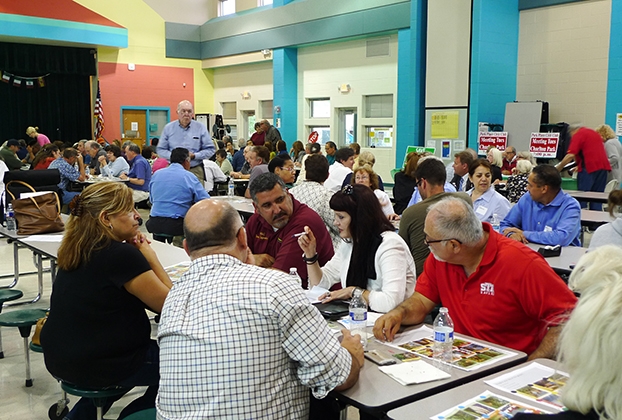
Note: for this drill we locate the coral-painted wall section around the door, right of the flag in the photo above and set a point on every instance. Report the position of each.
(146, 86)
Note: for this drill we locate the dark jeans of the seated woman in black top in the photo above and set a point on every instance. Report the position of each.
(147, 375)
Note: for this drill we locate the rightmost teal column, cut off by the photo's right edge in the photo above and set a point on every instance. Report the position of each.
(614, 76)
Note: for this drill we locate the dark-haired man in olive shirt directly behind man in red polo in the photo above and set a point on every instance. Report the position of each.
(431, 178)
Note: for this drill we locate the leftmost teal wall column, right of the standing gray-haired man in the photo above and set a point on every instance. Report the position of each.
(285, 85)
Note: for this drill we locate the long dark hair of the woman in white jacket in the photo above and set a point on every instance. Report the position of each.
(367, 224)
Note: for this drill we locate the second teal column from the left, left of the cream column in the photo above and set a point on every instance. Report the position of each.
(411, 52)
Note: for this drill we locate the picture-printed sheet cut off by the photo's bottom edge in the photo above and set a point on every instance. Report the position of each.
(486, 406)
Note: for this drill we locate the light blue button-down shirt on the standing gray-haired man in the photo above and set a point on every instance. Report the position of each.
(194, 137)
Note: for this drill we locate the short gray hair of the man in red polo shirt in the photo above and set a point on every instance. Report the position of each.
(456, 219)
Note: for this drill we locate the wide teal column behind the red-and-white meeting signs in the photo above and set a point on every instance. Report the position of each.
(494, 61)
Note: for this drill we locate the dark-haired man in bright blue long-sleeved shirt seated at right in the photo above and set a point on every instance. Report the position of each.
(546, 215)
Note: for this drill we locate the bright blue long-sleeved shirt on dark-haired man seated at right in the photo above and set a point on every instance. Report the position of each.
(557, 223)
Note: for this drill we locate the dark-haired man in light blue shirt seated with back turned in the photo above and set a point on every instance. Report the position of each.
(173, 190)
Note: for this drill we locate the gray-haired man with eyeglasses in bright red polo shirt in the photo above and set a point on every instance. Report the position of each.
(496, 289)
